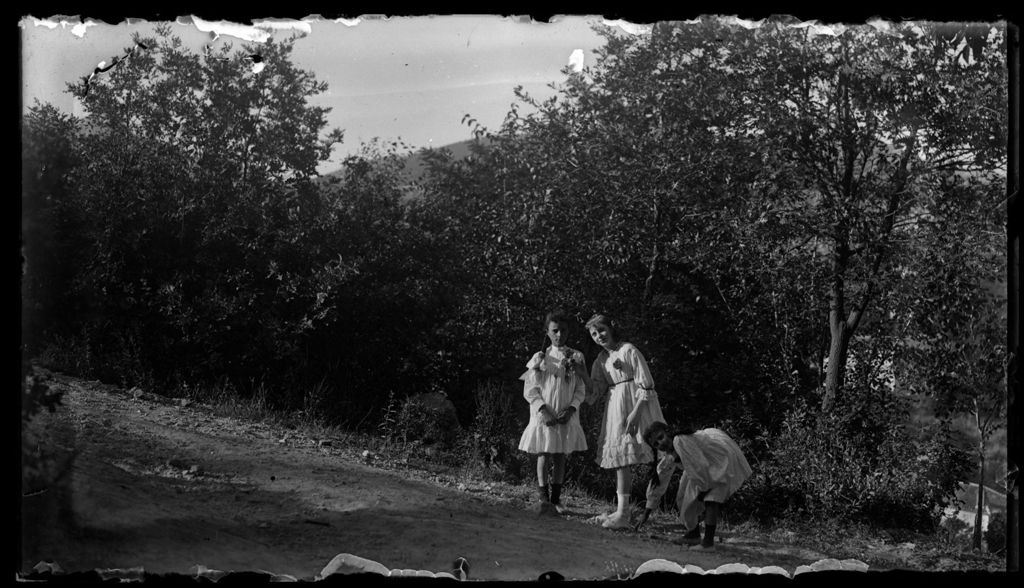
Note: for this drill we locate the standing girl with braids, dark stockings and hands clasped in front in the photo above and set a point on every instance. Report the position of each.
(554, 392)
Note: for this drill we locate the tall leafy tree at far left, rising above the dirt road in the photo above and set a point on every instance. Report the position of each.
(196, 199)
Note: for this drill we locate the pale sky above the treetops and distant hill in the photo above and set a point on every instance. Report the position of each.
(410, 78)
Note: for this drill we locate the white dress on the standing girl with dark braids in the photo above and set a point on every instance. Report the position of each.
(548, 383)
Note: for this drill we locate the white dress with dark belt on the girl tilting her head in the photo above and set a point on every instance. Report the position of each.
(625, 375)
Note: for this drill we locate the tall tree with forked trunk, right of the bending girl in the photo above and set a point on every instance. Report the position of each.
(878, 125)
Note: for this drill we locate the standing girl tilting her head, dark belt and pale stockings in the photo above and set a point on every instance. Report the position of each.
(621, 373)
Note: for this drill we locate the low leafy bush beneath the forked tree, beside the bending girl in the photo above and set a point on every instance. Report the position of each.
(858, 464)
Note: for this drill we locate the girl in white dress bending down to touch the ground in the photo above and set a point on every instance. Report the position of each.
(714, 469)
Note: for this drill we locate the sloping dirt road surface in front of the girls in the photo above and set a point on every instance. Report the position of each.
(168, 488)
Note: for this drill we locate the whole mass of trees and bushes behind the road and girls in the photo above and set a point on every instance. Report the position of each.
(795, 228)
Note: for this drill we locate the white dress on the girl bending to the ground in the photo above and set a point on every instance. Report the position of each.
(711, 461)
